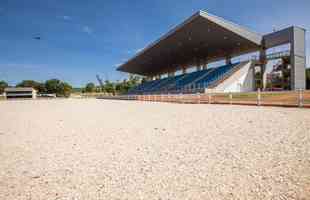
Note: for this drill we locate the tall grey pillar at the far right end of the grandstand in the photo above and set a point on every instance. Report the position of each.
(298, 58)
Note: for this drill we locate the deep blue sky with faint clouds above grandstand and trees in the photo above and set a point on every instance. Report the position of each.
(83, 38)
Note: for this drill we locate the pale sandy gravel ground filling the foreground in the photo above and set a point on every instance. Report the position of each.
(100, 149)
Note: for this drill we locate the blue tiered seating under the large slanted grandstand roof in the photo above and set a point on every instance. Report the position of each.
(198, 79)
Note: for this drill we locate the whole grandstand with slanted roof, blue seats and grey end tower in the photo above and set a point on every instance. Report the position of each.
(205, 38)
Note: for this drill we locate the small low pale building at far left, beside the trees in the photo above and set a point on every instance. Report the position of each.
(12, 93)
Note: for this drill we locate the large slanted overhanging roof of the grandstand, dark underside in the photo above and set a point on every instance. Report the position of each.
(202, 36)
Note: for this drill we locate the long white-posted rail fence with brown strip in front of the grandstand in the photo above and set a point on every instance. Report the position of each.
(298, 98)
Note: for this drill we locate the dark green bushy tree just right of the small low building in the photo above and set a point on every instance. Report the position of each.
(55, 86)
